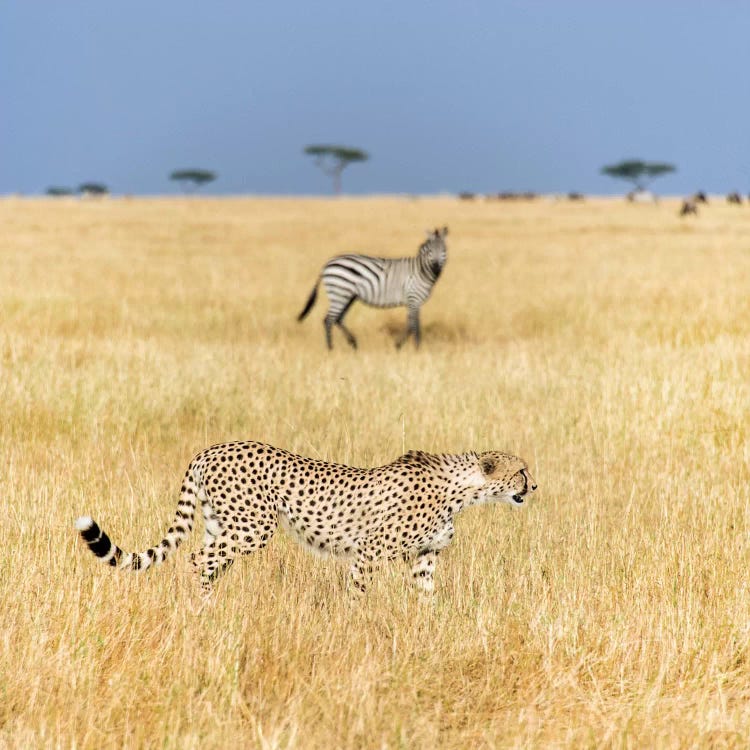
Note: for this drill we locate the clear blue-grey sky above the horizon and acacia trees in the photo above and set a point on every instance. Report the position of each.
(445, 96)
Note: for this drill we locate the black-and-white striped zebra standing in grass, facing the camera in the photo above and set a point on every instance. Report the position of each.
(380, 282)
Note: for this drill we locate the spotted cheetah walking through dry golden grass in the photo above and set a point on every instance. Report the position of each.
(403, 509)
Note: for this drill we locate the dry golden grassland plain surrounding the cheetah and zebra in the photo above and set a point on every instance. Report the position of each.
(607, 343)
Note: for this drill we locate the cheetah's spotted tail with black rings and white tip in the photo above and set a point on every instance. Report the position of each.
(108, 552)
